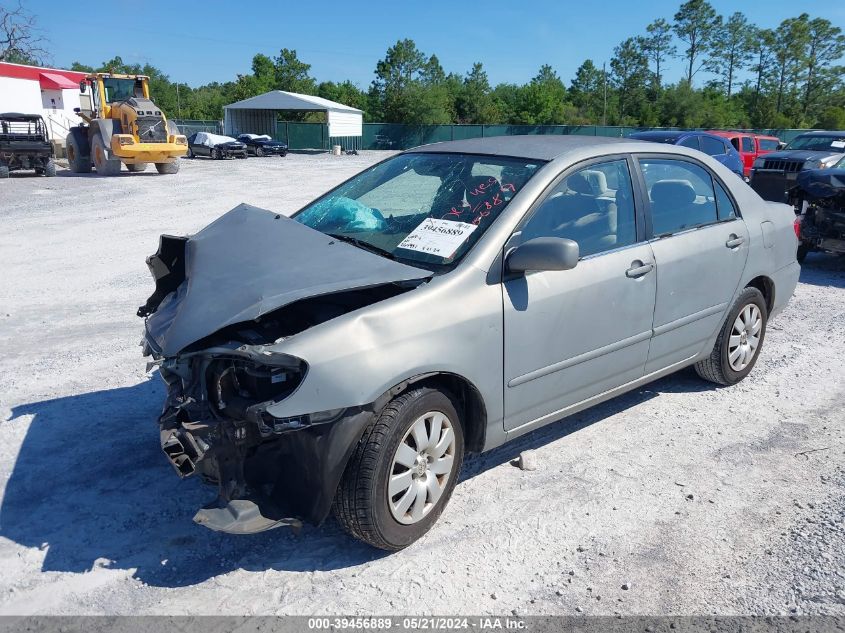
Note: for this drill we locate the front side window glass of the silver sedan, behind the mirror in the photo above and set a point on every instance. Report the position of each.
(593, 206)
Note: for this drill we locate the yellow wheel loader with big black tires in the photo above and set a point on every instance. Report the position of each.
(122, 125)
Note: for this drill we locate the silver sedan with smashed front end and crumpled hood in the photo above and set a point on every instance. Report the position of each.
(446, 300)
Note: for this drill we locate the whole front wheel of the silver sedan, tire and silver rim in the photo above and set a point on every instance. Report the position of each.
(403, 471)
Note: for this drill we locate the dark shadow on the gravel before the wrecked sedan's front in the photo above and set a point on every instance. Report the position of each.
(92, 488)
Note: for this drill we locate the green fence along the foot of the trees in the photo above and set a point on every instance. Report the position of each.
(301, 136)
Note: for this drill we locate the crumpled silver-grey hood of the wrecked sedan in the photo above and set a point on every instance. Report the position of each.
(250, 262)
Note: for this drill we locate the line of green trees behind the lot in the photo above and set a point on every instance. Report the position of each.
(735, 74)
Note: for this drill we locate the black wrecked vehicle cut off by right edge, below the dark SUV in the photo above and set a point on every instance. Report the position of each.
(819, 199)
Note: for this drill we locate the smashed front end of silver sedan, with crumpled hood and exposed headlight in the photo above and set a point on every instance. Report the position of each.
(224, 300)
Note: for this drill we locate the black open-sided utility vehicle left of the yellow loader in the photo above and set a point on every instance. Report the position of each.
(25, 144)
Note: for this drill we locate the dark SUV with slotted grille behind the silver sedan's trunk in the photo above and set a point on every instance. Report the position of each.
(775, 174)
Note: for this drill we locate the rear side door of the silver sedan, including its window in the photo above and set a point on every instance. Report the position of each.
(700, 245)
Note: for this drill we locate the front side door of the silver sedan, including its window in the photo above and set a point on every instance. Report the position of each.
(573, 334)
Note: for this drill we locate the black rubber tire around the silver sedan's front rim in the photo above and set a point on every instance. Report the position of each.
(361, 503)
